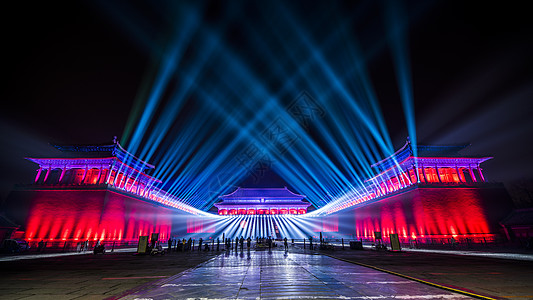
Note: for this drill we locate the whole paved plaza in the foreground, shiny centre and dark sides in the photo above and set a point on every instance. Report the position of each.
(123, 275)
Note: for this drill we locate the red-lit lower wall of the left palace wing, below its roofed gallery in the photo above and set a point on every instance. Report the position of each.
(87, 214)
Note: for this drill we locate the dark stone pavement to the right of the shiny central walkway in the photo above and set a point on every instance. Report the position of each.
(494, 277)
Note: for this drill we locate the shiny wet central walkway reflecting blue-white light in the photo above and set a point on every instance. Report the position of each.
(285, 275)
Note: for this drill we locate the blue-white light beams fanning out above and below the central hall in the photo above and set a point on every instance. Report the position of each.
(245, 86)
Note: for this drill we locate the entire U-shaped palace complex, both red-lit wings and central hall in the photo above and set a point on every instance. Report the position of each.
(102, 192)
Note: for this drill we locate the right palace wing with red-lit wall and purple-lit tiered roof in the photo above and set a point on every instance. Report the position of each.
(434, 192)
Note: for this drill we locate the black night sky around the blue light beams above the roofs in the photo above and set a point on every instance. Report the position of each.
(74, 70)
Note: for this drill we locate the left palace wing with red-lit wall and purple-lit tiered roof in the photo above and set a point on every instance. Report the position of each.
(96, 192)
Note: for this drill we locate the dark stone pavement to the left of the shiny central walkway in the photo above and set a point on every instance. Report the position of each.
(89, 276)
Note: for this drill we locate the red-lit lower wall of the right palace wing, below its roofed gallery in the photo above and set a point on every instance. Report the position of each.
(430, 212)
